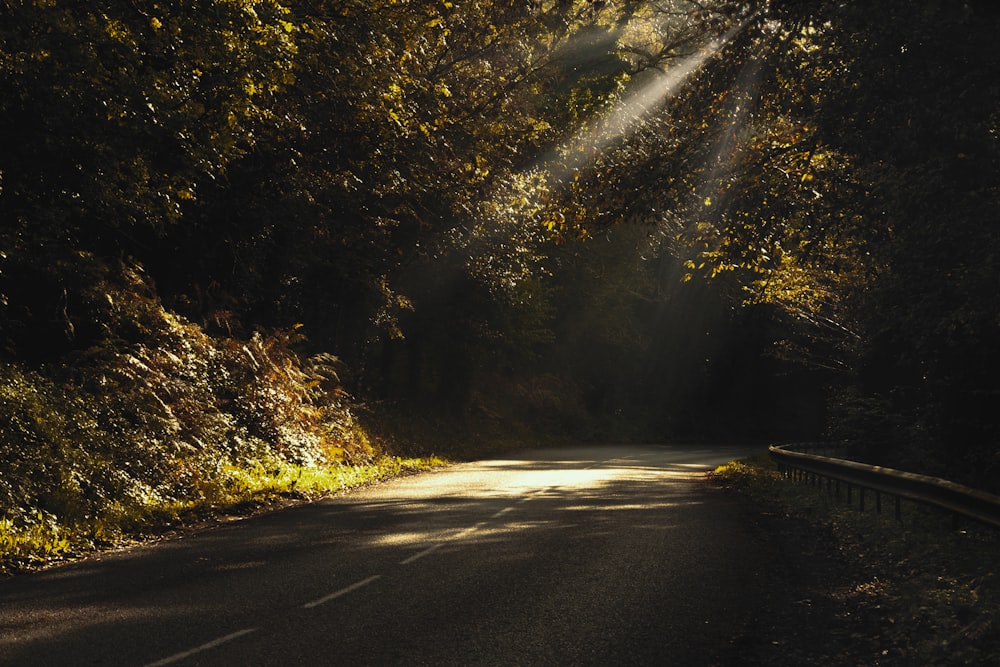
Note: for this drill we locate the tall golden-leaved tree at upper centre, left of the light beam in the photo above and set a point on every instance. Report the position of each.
(403, 163)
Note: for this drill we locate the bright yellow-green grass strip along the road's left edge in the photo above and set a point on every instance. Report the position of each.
(44, 540)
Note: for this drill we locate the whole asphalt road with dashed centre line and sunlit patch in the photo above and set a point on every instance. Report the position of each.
(587, 556)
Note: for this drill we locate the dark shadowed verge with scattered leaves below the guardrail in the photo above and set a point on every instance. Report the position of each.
(864, 588)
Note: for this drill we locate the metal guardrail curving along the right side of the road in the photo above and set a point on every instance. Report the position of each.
(955, 498)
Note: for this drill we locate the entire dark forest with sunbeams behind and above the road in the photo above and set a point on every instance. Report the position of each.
(239, 236)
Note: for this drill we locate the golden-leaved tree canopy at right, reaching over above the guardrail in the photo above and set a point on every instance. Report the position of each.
(836, 165)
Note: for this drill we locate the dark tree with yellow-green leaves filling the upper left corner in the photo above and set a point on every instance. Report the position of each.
(113, 118)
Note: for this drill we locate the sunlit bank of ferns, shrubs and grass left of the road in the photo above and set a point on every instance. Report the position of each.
(157, 423)
